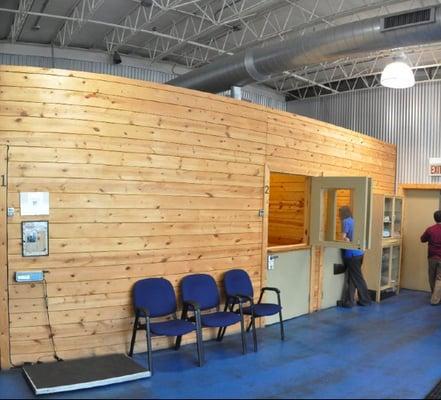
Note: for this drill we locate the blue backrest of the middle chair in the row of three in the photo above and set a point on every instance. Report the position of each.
(202, 289)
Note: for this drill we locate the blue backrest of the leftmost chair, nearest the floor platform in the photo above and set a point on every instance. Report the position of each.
(155, 294)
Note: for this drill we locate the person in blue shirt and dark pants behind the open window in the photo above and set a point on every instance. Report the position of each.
(352, 259)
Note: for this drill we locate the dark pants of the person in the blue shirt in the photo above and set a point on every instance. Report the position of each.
(355, 280)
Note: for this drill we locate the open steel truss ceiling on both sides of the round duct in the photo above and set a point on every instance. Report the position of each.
(195, 32)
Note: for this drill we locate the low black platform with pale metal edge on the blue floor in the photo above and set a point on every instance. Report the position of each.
(83, 373)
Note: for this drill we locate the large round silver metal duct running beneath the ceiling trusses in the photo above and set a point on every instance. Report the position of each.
(259, 63)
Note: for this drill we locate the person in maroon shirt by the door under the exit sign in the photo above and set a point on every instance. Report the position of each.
(432, 236)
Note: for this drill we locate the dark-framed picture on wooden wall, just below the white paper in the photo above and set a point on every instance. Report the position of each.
(35, 237)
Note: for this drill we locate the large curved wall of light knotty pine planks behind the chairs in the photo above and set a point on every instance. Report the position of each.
(144, 180)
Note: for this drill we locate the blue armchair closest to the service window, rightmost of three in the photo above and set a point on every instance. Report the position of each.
(237, 283)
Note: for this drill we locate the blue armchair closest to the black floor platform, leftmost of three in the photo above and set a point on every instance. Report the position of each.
(155, 297)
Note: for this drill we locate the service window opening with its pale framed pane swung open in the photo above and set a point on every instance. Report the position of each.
(306, 211)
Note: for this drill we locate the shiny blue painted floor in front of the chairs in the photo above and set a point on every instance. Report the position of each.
(391, 350)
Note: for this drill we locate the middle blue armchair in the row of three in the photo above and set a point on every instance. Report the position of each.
(202, 289)
